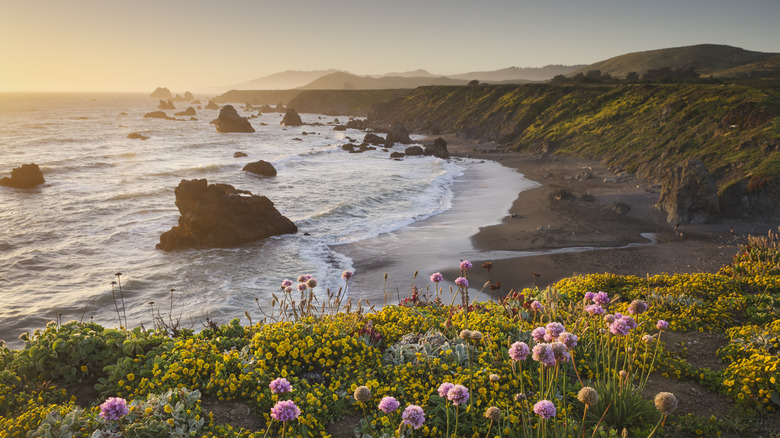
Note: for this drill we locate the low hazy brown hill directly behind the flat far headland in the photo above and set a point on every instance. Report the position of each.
(348, 81)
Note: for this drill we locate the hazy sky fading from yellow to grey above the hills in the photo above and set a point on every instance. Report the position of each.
(137, 45)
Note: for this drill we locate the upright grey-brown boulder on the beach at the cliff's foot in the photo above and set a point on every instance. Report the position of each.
(689, 195)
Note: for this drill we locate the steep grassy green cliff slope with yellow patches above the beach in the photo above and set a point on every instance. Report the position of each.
(734, 130)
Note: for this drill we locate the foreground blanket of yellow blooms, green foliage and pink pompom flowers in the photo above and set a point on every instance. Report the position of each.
(469, 369)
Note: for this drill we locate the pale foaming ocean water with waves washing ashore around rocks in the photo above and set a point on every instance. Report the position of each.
(107, 199)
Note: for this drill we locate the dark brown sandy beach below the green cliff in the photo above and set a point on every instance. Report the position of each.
(573, 207)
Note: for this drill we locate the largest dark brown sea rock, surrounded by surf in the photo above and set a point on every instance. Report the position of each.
(219, 216)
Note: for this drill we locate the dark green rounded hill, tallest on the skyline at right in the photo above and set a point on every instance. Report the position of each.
(705, 59)
